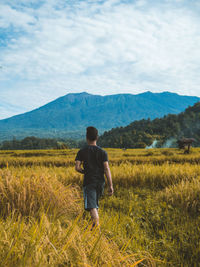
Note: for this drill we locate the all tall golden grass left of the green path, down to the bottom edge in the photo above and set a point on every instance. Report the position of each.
(42, 224)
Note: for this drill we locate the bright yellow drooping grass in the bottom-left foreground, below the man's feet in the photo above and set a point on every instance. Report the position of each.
(48, 243)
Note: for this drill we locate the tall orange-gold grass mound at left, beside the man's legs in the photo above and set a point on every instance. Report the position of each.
(28, 195)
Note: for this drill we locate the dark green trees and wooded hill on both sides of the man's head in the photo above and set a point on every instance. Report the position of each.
(162, 132)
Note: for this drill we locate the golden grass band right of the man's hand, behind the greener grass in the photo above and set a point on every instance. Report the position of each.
(153, 176)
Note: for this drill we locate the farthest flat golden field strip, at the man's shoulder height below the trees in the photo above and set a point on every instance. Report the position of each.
(65, 158)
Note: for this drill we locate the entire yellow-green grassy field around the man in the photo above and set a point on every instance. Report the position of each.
(153, 218)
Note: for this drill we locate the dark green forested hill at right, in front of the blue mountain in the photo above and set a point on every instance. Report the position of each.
(162, 132)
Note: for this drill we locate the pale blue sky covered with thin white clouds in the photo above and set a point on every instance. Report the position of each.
(49, 48)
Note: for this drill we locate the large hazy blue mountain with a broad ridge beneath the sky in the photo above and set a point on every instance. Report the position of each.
(69, 115)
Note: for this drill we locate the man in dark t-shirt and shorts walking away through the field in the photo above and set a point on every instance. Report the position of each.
(95, 165)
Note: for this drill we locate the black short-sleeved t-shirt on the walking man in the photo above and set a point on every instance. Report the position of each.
(93, 158)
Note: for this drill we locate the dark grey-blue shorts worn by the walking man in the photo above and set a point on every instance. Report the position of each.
(91, 194)
